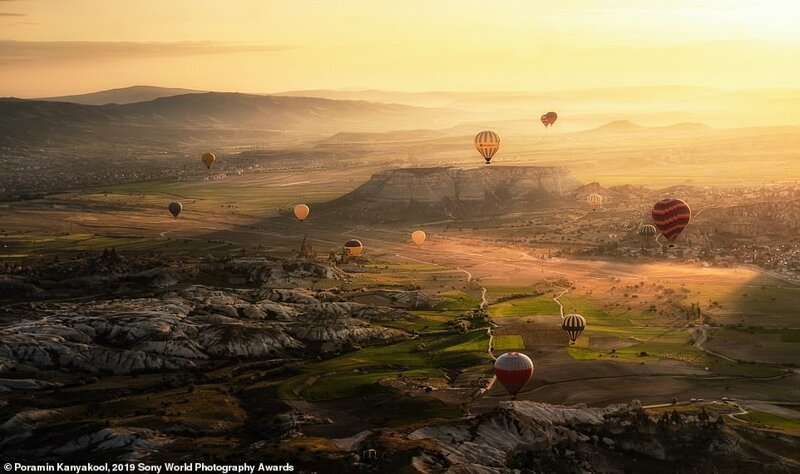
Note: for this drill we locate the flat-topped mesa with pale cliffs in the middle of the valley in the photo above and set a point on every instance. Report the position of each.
(448, 192)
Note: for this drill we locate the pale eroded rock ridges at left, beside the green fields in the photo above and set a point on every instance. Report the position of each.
(182, 329)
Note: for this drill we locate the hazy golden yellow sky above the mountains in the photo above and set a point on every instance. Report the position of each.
(53, 47)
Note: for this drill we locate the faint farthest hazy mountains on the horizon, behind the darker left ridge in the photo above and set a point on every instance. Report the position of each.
(579, 109)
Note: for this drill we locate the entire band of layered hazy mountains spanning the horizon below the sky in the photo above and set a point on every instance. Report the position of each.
(172, 117)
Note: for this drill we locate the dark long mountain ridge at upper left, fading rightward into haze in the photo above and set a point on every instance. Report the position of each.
(203, 117)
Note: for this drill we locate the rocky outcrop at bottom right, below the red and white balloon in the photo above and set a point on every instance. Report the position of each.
(537, 437)
